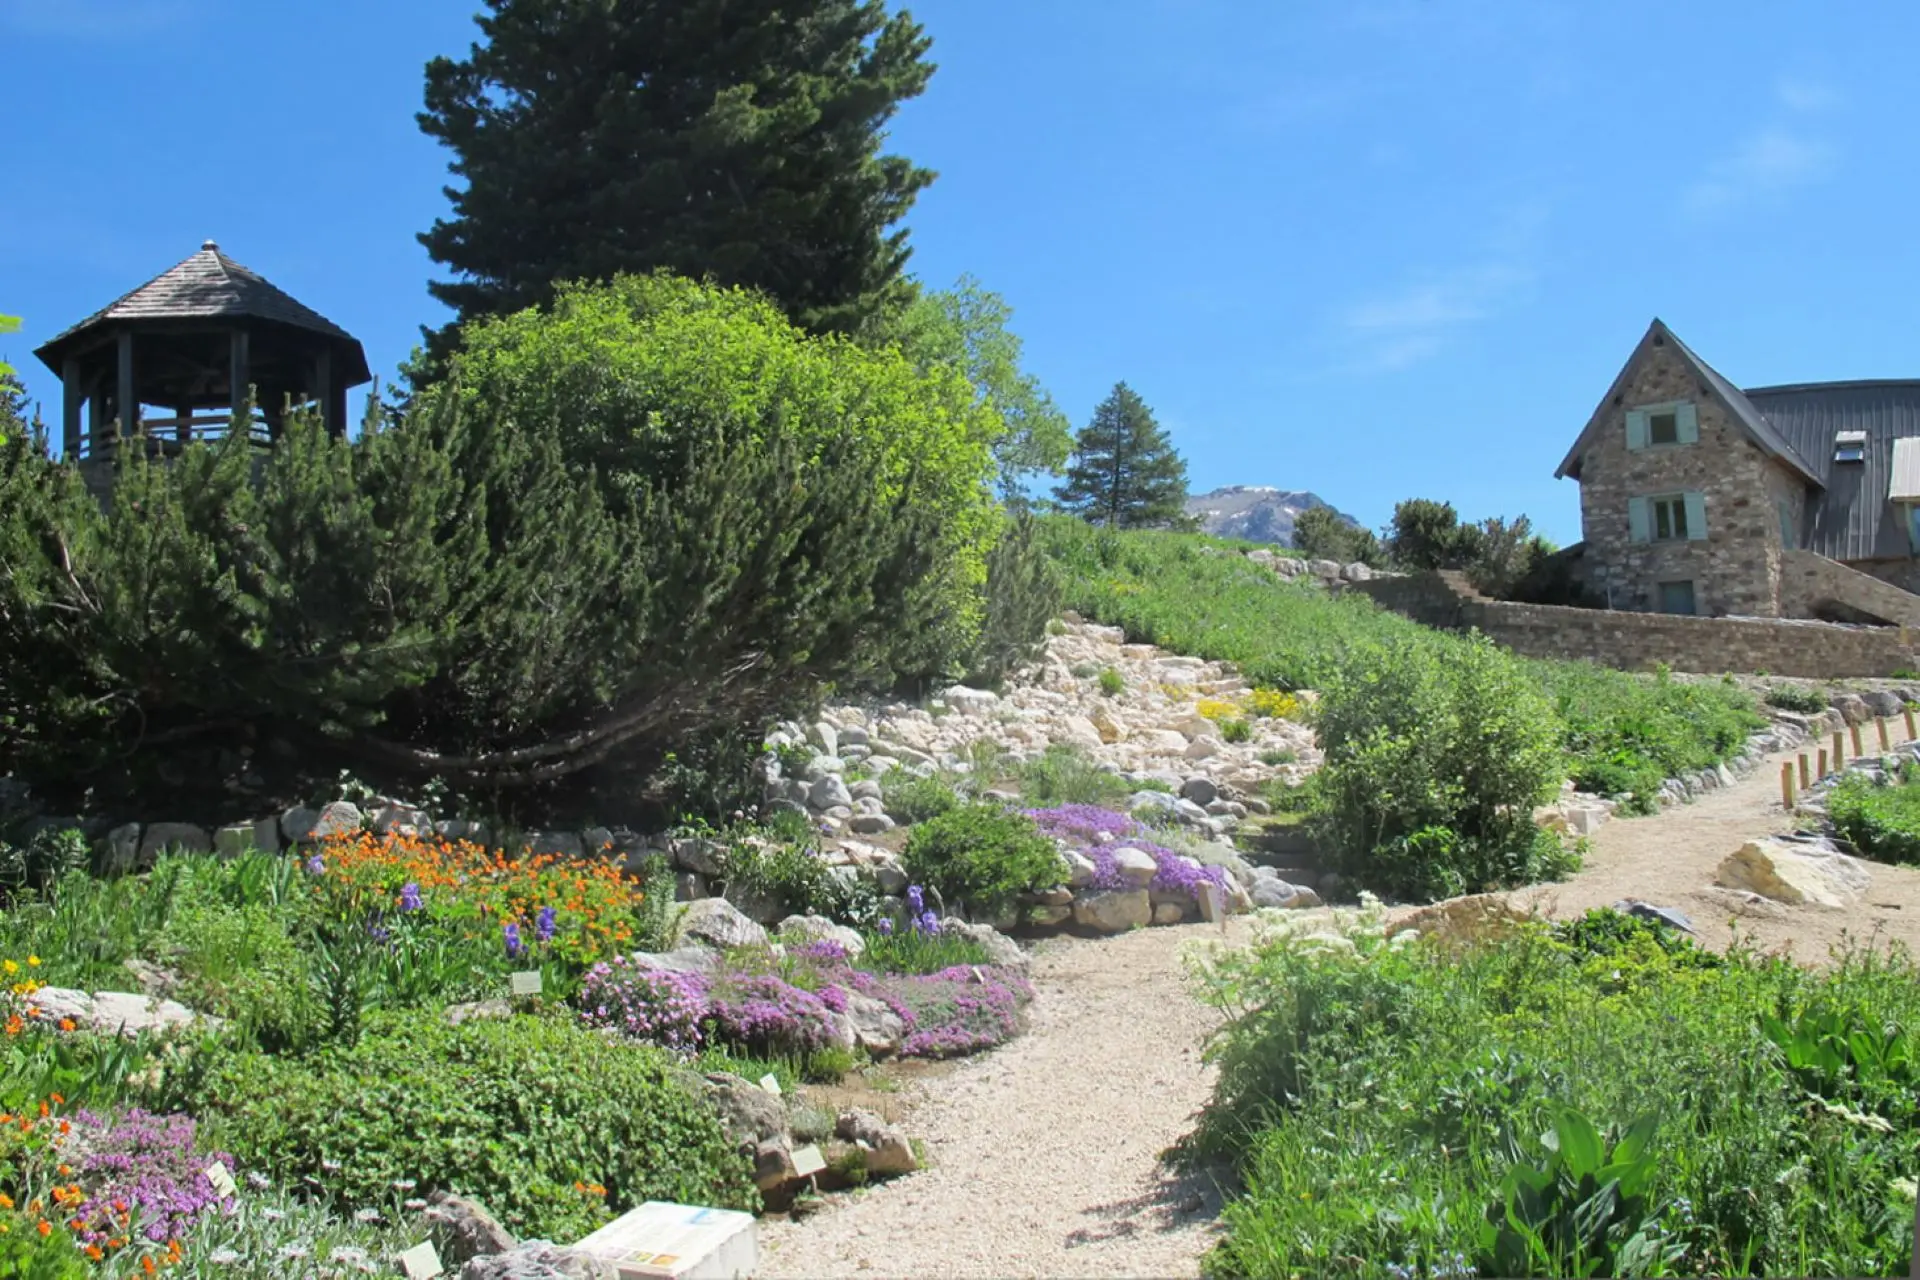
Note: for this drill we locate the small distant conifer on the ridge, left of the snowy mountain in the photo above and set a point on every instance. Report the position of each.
(1124, 471)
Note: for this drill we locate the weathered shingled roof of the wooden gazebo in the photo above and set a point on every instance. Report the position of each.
(208, 287)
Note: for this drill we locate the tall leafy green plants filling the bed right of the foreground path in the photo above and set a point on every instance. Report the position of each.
(1595, 1099)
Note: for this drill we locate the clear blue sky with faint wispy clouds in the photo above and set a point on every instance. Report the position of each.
(1366, 249)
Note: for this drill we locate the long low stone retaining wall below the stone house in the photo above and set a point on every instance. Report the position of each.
(1637, 642)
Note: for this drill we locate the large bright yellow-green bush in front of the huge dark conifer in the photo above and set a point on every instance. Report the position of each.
(633, 377)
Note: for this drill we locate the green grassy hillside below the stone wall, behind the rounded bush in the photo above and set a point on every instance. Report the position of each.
(1621, 734)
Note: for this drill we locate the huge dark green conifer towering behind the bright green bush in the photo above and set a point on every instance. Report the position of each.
(719, 139)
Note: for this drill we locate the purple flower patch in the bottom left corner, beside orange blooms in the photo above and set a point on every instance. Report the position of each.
(147, 1162)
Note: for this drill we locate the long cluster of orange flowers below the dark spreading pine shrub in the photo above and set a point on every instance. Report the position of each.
(592, 897)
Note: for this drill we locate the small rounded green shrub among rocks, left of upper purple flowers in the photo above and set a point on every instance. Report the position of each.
(982, 857)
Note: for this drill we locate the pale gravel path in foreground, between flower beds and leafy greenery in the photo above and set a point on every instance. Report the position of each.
(1045, 1154)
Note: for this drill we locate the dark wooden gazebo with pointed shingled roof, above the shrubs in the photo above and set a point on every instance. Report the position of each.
(193, 341)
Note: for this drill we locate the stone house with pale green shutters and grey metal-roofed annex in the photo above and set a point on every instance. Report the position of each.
(1787, 502)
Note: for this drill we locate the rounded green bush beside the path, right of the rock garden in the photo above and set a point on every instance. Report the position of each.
(1437, 757)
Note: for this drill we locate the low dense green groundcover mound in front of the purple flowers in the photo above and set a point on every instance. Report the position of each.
(514, 1112)
